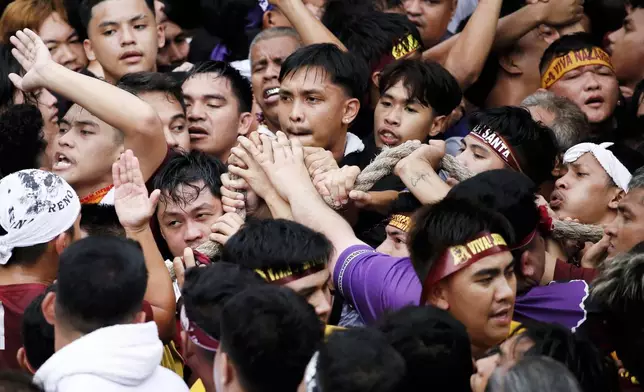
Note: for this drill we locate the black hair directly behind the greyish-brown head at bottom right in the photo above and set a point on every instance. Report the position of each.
(593, 371)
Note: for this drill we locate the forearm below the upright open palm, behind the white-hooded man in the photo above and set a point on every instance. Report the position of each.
(159, 292)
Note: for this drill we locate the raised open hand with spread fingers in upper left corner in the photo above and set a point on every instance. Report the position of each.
(34, 57)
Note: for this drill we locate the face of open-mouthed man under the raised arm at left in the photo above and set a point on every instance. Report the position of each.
(83, 138)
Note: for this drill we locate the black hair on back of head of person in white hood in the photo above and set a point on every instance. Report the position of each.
(101, 283)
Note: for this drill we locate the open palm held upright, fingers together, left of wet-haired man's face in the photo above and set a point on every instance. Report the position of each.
(133, 206)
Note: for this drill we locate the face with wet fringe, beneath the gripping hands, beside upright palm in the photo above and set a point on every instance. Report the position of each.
(187, 225)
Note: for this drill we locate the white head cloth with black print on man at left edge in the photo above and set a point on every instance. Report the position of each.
(35, 207)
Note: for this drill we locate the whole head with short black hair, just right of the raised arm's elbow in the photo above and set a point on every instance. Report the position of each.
(218, 101)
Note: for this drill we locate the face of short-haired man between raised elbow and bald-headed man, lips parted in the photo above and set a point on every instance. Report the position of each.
(213, 114)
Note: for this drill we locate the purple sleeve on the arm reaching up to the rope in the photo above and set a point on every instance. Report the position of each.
(375, 283)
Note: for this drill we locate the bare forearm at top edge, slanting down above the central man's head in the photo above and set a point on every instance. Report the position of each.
(310, 28)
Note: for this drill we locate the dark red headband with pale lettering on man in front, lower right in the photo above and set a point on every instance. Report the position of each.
(458, 257)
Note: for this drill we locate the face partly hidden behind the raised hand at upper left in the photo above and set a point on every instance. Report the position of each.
(63, 43)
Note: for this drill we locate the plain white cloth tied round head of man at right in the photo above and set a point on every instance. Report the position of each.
(613, 167)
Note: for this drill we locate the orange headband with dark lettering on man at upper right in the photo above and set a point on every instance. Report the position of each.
(561, 65)
